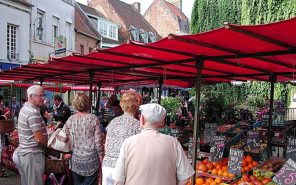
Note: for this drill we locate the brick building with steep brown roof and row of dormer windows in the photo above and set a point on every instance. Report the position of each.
(133, 26)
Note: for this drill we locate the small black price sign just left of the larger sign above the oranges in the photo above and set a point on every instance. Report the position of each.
(217, 149)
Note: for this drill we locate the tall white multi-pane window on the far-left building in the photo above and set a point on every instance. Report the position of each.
(12, 31)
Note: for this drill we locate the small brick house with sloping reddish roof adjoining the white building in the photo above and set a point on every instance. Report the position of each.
(87, 38)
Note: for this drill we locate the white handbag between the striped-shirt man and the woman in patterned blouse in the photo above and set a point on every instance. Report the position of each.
(60, 141)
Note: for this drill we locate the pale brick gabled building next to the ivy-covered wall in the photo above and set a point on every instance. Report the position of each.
(166, 18)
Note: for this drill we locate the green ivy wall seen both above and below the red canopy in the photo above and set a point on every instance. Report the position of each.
(211, 14)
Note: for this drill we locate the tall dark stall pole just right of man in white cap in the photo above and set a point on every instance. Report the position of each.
(196, 127)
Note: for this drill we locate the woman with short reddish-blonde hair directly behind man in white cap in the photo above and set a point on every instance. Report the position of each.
(118, 130)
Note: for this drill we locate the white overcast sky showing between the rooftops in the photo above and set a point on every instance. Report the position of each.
(187, 5)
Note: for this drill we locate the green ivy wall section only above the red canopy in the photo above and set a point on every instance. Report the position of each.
(211, 14)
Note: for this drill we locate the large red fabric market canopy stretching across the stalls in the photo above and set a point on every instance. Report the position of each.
(229, 53)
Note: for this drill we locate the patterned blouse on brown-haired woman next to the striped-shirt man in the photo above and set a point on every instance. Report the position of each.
(87, 143)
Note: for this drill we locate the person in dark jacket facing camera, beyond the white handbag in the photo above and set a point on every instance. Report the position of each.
(61, 111)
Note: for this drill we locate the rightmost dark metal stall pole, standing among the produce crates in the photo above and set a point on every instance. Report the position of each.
(272, 79)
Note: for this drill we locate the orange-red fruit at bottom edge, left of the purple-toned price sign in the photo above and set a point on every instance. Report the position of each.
(252, 180)
